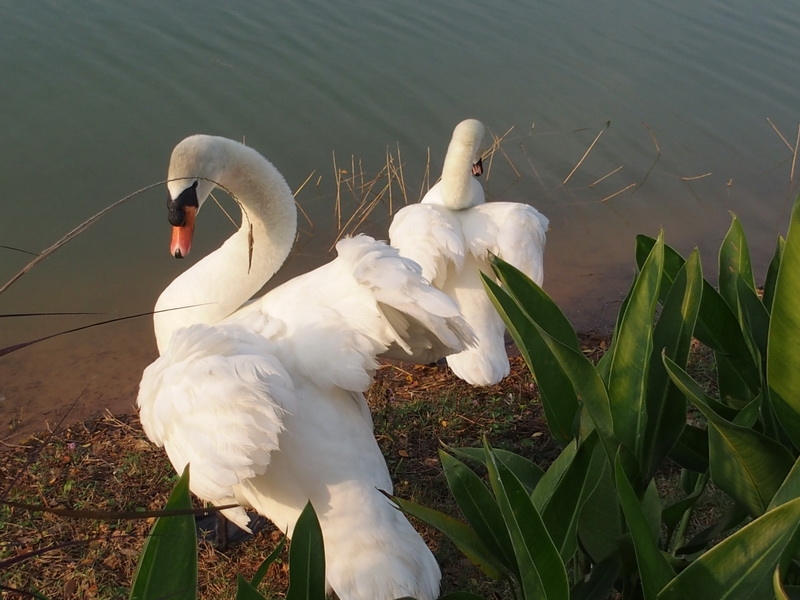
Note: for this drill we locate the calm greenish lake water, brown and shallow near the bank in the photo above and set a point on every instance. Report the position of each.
(94, 95)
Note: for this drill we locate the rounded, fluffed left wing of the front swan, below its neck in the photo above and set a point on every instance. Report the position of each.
(216, 399)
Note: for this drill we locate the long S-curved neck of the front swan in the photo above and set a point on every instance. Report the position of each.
(220, 283)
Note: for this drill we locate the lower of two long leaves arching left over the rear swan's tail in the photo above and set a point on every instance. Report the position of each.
(557, 395)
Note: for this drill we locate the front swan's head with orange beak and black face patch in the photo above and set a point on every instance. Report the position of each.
(194, 168)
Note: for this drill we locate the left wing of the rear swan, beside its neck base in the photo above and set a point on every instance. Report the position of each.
(430, 235)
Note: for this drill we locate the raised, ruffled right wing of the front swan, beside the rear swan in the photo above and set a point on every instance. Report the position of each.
(332, 323)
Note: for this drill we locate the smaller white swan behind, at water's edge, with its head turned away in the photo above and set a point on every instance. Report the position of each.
(451, 232)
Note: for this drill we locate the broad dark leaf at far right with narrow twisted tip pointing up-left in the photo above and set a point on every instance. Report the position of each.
(744, 463)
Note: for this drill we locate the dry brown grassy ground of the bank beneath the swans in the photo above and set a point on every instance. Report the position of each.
(107, 464)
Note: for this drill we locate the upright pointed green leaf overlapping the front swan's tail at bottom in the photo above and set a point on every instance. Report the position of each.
(307, 559)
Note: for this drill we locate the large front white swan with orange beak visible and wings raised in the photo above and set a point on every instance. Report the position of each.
(265, 401)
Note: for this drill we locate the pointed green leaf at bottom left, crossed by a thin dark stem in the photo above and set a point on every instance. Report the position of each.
(168, 562)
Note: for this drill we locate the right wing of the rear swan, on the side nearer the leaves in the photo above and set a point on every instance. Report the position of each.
(513, 231)
